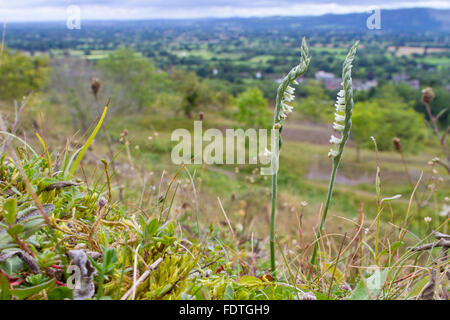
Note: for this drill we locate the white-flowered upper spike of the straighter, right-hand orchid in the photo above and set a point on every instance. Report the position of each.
(344, 108)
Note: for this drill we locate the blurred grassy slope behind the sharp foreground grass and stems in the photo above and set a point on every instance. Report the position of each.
(145, 172)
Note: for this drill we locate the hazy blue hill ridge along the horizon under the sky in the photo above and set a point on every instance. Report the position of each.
(403, 20)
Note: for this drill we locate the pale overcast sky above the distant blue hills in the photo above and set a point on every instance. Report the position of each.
(53, 10)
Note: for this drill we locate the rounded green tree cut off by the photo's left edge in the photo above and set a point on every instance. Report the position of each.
(20, 74)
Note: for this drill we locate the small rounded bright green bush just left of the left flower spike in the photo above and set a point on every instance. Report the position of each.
(253, 108)
